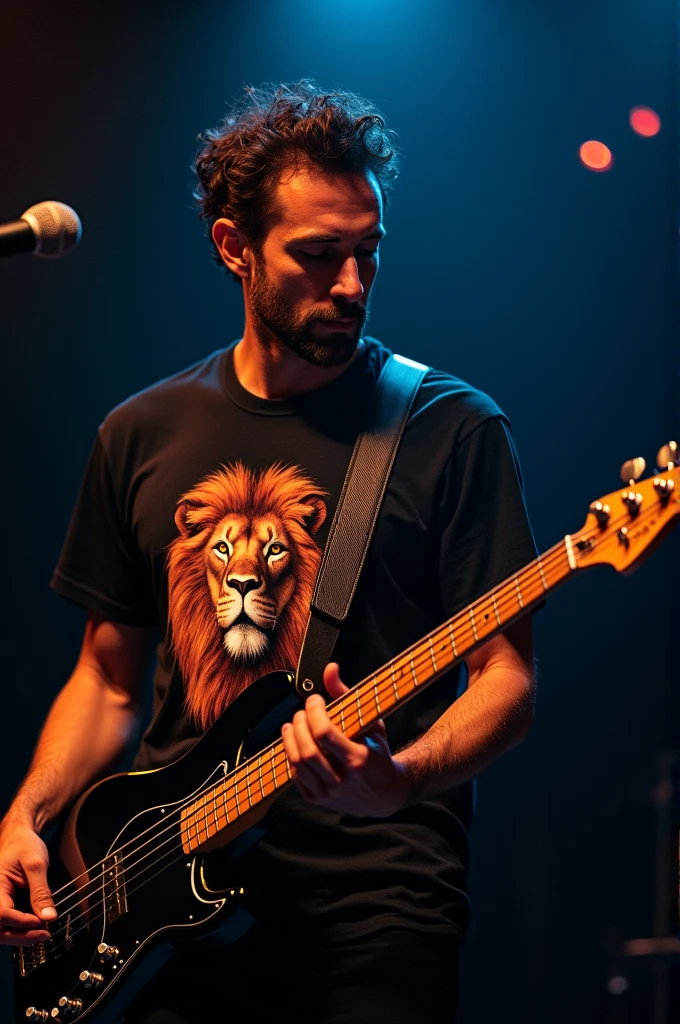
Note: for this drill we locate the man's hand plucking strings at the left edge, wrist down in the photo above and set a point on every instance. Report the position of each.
(24, 865)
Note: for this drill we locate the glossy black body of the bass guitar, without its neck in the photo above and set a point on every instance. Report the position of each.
(144, 894)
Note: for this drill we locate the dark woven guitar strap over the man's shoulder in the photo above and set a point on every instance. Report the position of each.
(356, 517)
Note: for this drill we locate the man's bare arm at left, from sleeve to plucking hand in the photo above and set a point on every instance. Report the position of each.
(87, 733)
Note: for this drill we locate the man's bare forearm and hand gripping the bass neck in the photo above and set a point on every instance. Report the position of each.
(494, 714)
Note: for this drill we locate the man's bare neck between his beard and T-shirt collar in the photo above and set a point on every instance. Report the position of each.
(270, 370)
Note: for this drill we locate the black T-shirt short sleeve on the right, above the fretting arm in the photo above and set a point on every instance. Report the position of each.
(487, 536)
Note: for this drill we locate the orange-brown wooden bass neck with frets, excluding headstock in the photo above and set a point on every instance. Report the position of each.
(376, 697)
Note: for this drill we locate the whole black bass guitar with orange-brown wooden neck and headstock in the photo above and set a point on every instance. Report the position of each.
(134, 838)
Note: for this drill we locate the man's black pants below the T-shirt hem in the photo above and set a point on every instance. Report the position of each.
(395, 975)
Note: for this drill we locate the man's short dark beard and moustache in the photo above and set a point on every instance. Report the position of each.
(302, 333)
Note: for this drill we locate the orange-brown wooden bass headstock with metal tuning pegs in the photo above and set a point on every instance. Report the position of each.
(625, 527)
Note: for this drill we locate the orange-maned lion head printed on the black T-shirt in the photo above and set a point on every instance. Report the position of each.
(240, 580)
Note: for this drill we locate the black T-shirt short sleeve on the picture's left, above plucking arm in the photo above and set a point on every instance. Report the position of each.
(101, 568)
